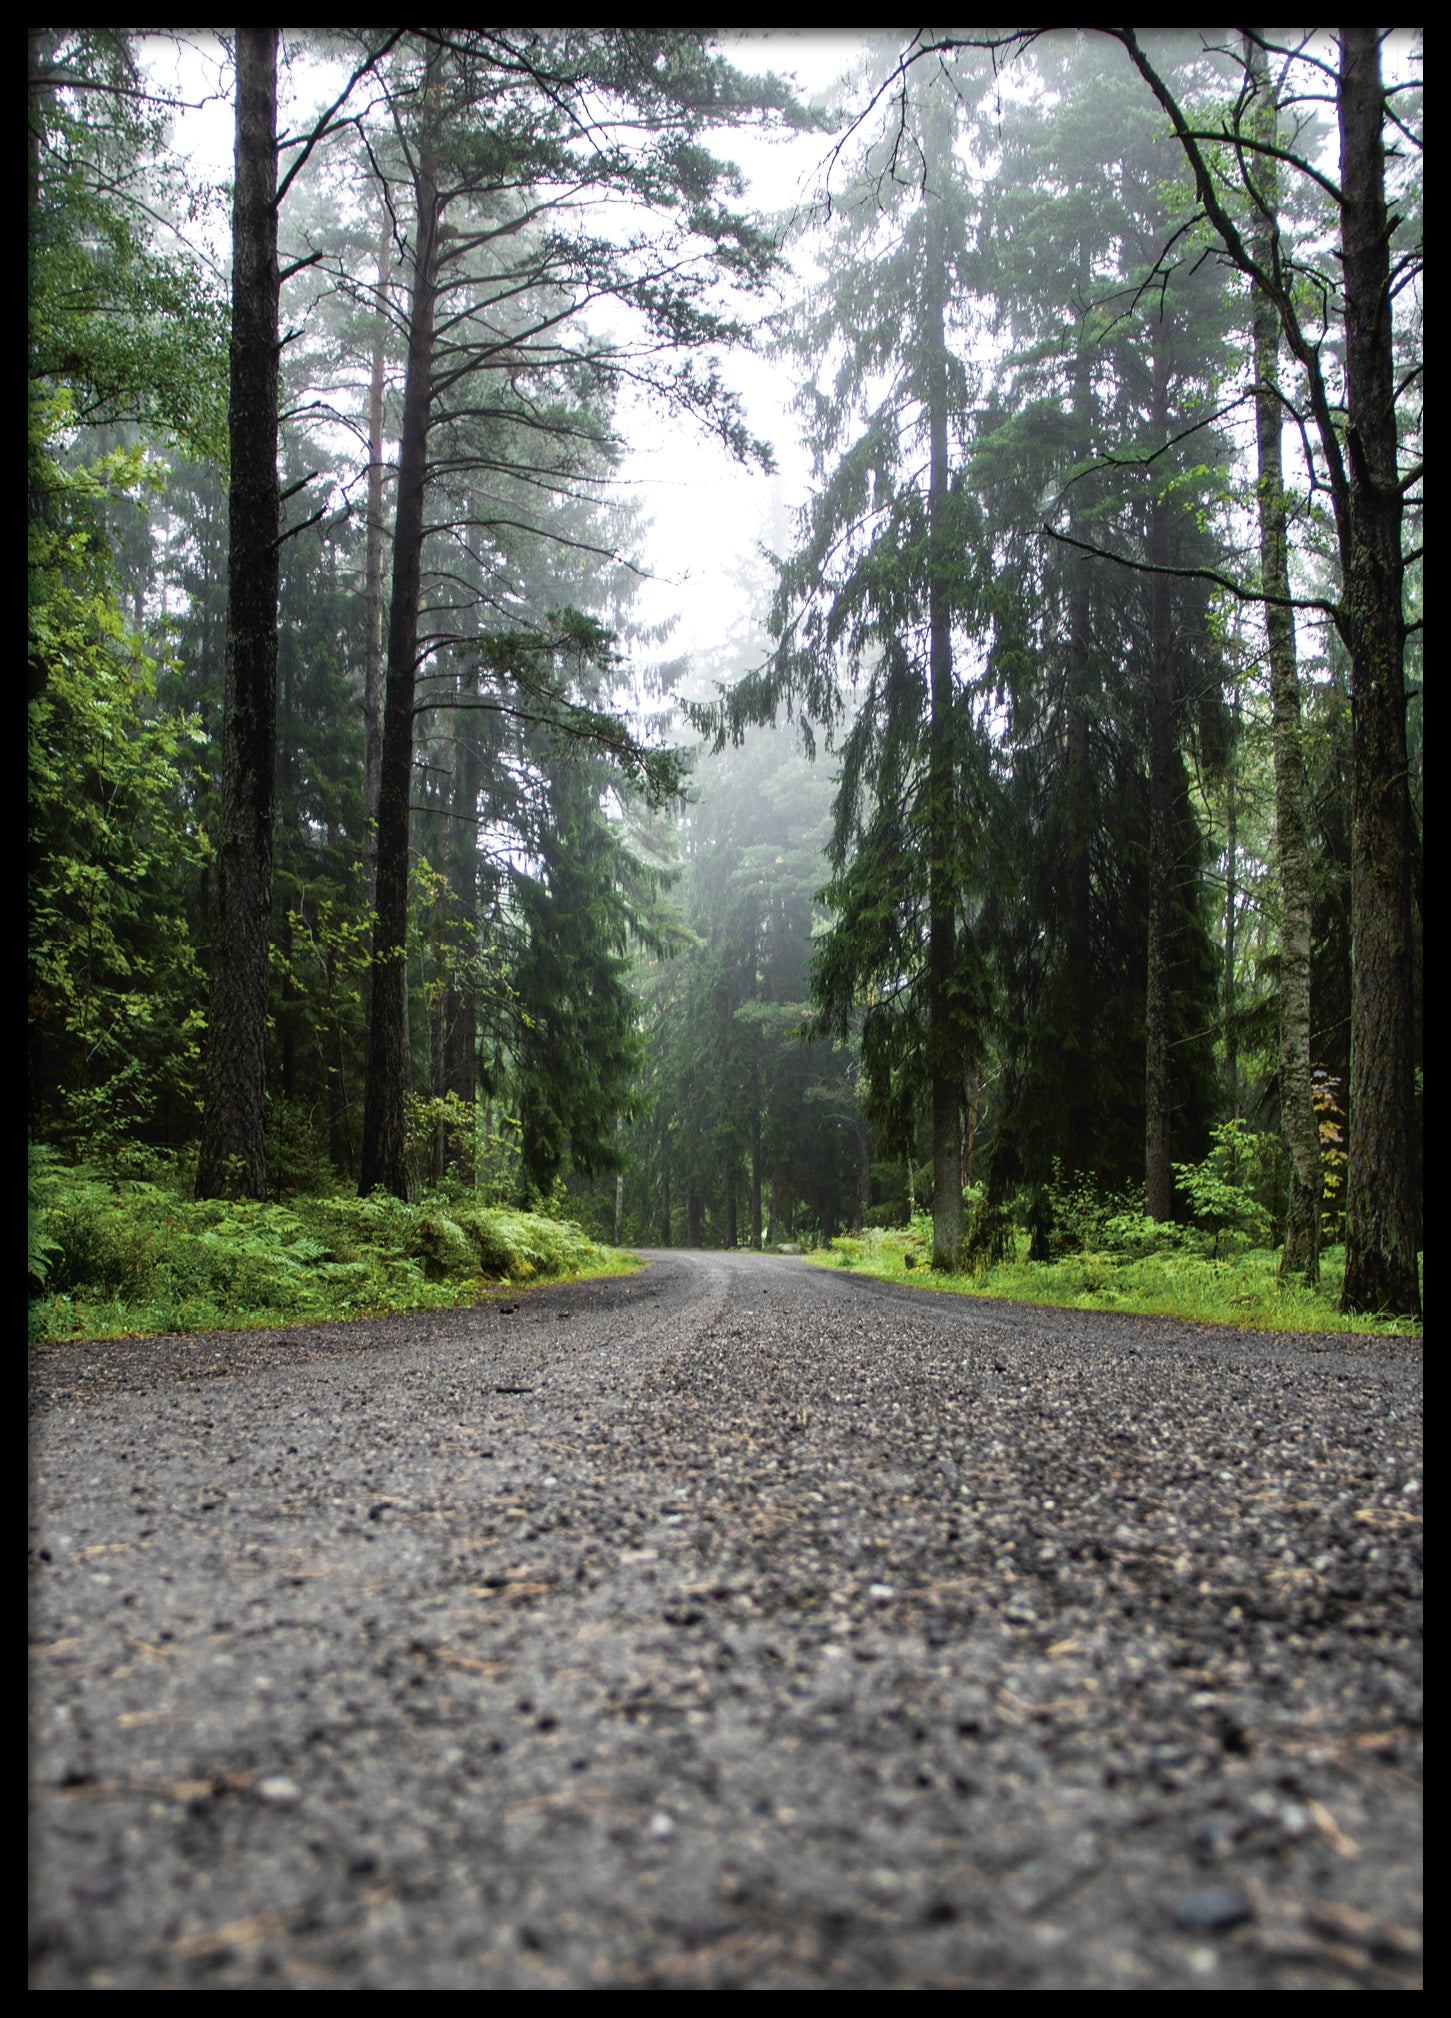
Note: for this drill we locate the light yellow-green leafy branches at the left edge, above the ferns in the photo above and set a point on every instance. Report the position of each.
(116, 992)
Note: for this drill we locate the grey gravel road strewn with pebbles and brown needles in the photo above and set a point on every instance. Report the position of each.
(732, 1625)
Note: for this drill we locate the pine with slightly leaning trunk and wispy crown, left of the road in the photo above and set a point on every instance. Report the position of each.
(499, 138)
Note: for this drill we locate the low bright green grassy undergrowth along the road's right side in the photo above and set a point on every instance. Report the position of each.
(1161, 1274)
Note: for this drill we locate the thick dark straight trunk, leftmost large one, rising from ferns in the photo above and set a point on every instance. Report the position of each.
(233, 1157)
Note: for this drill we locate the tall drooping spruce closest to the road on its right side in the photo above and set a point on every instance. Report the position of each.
(885, 584)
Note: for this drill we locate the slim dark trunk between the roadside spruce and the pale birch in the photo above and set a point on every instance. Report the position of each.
(1159, 1178)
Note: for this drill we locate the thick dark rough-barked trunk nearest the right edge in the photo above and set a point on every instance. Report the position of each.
(1383, 1230)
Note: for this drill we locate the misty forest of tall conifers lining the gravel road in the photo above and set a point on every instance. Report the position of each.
(1030, 863)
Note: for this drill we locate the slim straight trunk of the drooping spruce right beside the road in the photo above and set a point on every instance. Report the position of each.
(941, 958)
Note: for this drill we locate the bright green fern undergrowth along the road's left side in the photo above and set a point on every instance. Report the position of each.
(116, 1258)
